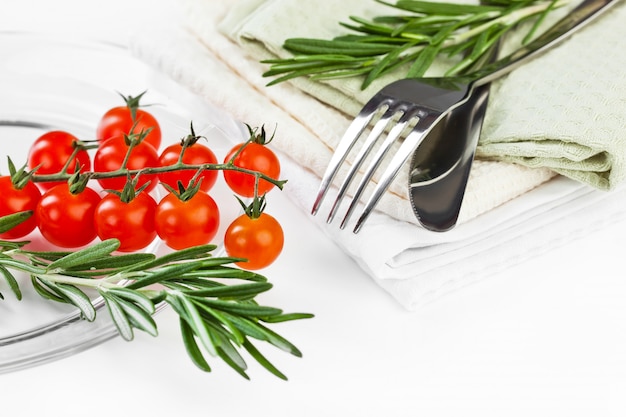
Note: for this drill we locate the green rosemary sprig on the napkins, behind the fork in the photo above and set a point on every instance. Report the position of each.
(409, 42)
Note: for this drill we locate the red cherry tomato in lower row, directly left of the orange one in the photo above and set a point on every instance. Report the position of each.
(182, 224)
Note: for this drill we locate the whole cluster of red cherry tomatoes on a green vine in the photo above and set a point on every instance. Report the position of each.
(70, 213)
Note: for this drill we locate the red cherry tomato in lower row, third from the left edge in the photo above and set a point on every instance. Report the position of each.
(132, 223)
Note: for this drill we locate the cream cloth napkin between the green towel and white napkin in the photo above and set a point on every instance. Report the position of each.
(313, 127)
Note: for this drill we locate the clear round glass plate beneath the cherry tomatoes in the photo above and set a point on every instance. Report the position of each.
(48, 83)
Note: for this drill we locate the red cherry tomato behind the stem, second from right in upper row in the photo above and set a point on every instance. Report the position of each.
(196, 154)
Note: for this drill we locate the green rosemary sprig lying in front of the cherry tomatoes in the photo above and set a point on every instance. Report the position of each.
(215, 302)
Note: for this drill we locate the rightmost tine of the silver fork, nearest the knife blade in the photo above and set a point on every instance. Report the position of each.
(424, 125)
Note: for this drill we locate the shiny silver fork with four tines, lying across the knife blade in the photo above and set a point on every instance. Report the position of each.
(417, 106)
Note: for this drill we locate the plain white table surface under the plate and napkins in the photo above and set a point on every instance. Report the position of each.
(545, 338)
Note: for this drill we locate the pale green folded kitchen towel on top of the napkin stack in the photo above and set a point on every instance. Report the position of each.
(565, 110)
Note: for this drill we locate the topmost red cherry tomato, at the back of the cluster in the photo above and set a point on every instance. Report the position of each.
(118, 121)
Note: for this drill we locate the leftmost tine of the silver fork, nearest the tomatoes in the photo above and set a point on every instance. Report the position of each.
(346, 143)
